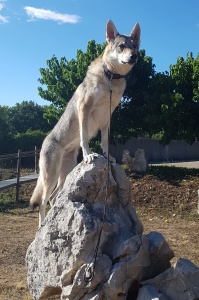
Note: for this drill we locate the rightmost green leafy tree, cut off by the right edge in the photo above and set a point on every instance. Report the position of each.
(181, 110)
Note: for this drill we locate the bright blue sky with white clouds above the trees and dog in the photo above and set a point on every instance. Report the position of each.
(33, 31)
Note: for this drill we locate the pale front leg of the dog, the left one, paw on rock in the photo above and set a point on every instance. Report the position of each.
(83, 115)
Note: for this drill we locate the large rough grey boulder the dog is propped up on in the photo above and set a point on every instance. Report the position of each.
(59, 257)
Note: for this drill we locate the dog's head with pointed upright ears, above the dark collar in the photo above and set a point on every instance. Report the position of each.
(122, 50)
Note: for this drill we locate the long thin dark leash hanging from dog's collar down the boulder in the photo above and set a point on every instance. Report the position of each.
(90, 269)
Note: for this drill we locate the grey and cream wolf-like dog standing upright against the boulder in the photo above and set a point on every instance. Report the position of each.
(87, 112)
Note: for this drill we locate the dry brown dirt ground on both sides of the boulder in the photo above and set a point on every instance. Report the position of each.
(165, 202)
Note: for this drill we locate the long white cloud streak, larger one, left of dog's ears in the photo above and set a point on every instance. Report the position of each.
(39, 13)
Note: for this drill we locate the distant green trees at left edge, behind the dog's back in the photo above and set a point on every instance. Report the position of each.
(22, 126)
